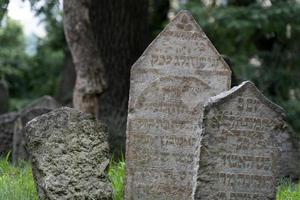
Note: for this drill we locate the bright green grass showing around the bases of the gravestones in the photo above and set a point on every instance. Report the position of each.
(16, 183)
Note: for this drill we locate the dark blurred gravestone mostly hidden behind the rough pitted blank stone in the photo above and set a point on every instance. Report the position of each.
(38, 107)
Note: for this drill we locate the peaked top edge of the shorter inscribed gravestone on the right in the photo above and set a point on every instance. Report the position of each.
(246, 85)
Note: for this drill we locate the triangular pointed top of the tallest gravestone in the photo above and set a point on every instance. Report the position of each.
(184, 35)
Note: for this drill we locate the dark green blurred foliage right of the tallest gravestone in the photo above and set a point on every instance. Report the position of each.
(262, 44)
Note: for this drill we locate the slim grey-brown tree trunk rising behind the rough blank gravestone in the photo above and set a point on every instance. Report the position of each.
(89, 67)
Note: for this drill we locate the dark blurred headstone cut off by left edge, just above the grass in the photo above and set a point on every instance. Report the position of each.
(6, 131)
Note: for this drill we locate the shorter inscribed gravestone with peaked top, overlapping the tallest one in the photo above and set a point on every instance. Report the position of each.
(239, 151)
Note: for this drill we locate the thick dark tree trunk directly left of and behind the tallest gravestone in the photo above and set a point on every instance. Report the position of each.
(121, 29)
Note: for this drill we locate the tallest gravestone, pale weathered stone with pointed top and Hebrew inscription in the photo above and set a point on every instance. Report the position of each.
(169, 84)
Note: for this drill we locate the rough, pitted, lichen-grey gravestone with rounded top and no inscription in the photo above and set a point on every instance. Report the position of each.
(69, 155)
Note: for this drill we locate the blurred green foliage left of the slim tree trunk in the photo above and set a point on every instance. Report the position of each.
(30, 76)
